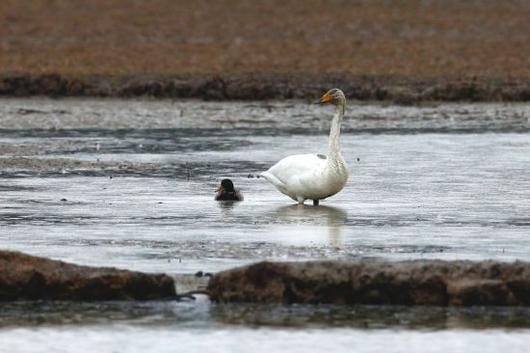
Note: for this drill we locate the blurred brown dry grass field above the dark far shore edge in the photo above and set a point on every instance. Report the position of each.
(408, 38)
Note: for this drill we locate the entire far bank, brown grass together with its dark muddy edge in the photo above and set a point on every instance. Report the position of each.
(408, 50)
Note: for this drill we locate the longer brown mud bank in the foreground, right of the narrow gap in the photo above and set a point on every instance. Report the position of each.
(460, 283)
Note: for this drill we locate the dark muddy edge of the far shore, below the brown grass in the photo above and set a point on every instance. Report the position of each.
(266, 86)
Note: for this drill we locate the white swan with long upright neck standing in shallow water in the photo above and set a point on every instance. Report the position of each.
(314, 176)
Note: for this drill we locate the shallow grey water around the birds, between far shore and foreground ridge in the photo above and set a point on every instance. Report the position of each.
(93, 182)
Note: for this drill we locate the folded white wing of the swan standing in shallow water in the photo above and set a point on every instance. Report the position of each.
(293, 172)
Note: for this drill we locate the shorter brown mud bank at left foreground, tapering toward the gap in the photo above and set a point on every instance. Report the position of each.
(25, 277)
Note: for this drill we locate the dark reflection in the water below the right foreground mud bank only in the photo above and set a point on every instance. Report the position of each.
(371, 317)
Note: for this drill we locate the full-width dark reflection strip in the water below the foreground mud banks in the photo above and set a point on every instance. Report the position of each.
(202, 313)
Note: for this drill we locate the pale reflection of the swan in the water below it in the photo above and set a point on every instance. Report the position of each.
(332, 218)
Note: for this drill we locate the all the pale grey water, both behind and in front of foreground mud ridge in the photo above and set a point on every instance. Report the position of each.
(130, 184)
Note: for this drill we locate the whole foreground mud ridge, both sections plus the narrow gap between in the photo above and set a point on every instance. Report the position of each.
(440, 283)
